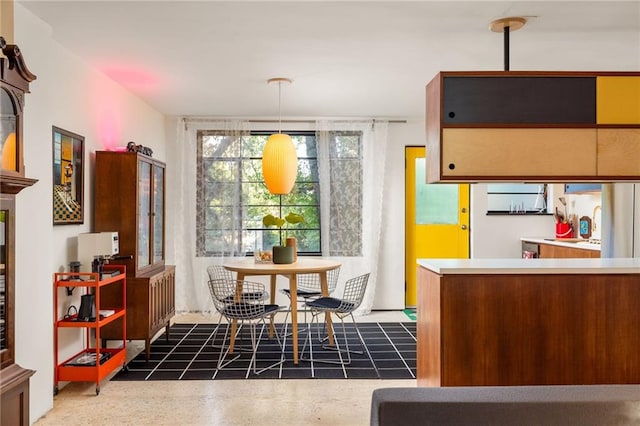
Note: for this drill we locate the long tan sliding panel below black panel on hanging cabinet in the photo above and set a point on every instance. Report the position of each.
(518, 152)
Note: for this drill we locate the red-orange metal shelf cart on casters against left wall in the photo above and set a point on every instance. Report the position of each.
(95, 361)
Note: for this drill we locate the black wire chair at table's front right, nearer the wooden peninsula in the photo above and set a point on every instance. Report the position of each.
(354, 290)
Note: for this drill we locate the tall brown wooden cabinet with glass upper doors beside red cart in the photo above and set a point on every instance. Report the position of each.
(130, 199)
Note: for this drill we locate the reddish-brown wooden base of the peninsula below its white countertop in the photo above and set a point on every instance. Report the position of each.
(528, 329)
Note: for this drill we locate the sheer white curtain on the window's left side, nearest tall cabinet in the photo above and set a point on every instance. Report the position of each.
(192, 292)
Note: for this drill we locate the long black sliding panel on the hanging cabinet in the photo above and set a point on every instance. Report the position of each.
(519, 100)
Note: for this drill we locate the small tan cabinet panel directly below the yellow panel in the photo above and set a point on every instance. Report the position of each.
(619, 152)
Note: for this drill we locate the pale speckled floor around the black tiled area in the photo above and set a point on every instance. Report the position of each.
(225, 402)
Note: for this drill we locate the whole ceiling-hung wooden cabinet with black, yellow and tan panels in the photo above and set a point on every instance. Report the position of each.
(533, 126)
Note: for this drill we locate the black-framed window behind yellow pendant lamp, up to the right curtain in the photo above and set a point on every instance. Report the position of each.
(232, 198)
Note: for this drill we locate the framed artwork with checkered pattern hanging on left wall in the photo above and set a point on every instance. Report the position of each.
(68, 177)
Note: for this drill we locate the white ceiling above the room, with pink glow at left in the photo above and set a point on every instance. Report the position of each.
(347, 59)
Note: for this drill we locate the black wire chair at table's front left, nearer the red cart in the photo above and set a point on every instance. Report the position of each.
(236, 301)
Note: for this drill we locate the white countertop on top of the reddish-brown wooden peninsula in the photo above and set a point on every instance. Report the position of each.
(532, 266)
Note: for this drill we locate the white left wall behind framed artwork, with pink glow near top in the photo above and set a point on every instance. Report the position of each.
(69, 94)
